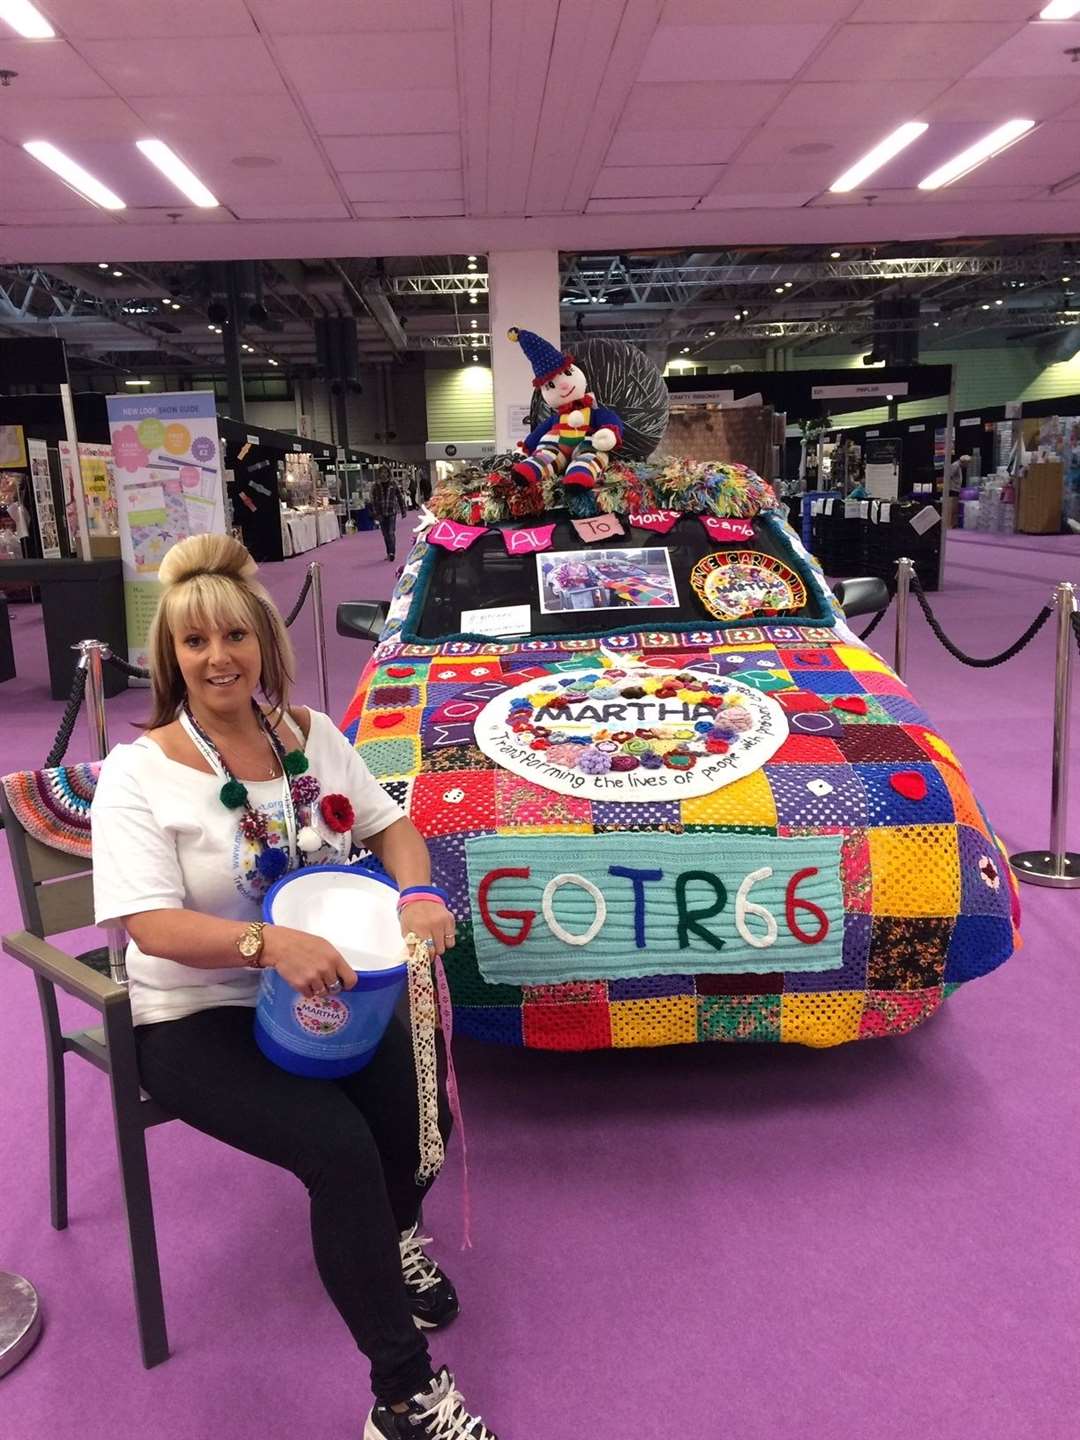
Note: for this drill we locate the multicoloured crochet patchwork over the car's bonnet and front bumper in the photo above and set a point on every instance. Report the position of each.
(735, 833)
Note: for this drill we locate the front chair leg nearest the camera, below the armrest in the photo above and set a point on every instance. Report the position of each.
(135, 1173)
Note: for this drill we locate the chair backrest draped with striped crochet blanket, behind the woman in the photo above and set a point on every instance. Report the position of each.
(47, 822)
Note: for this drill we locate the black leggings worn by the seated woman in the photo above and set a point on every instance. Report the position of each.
(354, 1143)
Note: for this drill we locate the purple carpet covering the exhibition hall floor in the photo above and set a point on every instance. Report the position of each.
(869, 1242)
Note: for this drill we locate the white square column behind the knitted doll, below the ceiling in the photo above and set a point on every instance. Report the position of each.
(525, 293)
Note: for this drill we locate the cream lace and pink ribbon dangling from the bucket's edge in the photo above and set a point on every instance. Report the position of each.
(426, 974)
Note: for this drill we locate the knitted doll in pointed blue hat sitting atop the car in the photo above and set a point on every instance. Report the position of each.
(580, 437)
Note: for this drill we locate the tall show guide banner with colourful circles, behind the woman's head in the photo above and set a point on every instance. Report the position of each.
(168, 463)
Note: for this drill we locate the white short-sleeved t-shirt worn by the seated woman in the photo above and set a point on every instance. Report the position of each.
(165, 842)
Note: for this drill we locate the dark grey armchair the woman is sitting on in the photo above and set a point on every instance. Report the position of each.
(55, 895)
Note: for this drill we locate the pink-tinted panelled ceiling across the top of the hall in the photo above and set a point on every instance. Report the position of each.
(446, 127)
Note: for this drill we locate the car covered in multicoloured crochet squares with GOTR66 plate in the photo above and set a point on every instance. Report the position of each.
(682, 803)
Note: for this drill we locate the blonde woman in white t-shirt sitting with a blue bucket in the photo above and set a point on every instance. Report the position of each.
(192, 823)
